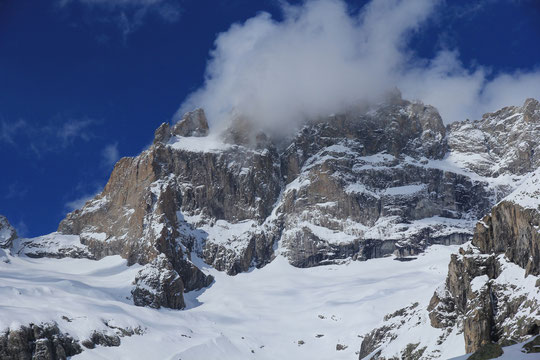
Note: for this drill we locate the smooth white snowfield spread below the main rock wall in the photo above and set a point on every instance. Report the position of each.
(277, 312)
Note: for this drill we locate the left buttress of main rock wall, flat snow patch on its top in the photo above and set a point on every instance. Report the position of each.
(154, 203)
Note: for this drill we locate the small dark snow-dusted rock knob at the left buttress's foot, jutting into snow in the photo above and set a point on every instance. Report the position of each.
(157, 284)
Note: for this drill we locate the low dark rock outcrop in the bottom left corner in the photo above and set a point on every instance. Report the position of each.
(37, 342)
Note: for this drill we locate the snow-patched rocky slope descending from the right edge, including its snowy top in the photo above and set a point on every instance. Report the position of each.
(492, 291)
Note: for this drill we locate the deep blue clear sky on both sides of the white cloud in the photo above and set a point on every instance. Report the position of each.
(82, 84)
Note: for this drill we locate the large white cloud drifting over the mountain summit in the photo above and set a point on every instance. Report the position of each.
(322, 58)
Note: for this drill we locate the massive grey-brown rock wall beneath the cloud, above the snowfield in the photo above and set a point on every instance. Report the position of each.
(357, 185)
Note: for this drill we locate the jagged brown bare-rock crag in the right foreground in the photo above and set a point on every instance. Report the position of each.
(493, 307)
